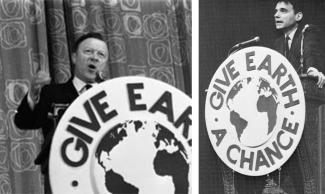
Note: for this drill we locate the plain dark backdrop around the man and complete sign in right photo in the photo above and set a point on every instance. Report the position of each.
(222, 24)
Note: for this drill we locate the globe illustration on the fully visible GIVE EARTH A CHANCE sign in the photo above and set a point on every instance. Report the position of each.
(253, 107)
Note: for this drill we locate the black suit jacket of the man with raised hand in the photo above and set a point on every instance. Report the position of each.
(27, 119)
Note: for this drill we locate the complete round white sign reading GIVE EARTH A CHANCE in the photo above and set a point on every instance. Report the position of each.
(255, 111)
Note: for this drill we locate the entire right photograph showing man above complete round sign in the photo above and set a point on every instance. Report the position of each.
(262, 97)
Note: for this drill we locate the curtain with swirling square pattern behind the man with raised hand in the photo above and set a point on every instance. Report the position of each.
(145, 38)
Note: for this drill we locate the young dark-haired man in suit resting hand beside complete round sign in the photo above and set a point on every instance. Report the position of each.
(288, 16)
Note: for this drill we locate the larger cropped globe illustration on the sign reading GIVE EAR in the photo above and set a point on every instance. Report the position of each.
(143, 157)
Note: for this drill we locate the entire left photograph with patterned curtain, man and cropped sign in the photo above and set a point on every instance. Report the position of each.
(96, 96)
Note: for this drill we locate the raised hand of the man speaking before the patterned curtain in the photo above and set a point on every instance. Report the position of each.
(38, 81)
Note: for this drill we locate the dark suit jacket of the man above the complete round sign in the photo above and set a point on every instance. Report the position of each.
(313, 51)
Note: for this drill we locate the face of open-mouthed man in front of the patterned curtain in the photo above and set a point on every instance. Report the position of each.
(90, 58)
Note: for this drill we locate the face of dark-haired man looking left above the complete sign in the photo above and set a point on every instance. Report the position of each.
(285, 16)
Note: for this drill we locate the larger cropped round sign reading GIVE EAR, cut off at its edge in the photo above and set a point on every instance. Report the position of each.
(125, 135)
